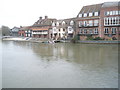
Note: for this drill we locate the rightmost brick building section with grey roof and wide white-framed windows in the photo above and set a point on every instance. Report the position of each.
(110, 20)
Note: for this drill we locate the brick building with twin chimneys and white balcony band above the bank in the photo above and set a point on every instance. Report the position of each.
(41, 28)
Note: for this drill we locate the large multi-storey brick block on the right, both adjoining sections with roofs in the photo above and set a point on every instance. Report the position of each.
(99, 20)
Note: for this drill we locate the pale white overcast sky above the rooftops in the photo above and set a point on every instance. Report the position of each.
(26, 12)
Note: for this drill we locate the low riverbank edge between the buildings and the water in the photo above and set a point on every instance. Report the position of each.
(45, 40)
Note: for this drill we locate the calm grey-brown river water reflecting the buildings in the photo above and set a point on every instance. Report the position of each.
(60, 65)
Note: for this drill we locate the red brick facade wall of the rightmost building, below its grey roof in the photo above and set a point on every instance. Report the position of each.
(109, 35)
